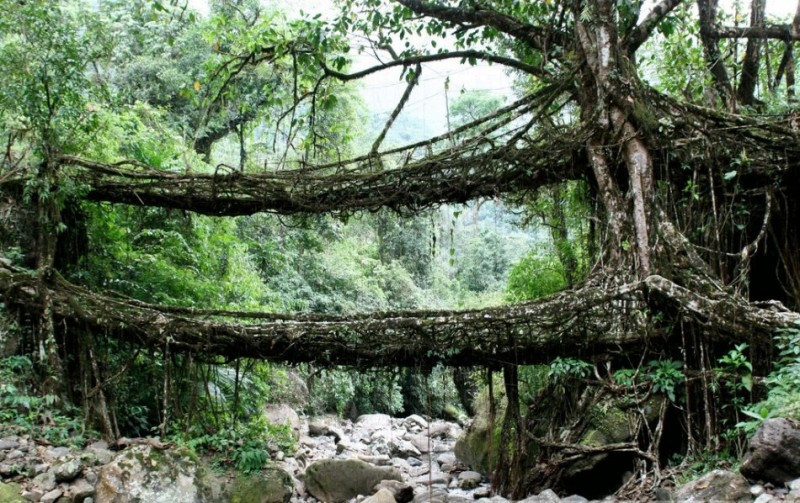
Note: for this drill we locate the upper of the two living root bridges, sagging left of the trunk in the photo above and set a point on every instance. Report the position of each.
(438, 179)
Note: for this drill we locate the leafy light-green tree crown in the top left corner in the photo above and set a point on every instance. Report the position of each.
(45, 51)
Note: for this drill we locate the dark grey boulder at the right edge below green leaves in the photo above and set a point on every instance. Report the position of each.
(773, 454)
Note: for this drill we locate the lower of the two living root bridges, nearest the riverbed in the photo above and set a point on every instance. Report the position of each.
(590, 322)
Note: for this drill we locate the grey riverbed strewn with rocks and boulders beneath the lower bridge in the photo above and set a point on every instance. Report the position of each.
(374, 459)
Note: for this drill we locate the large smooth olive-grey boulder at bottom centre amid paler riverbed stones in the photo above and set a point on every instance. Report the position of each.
(338, 480)
